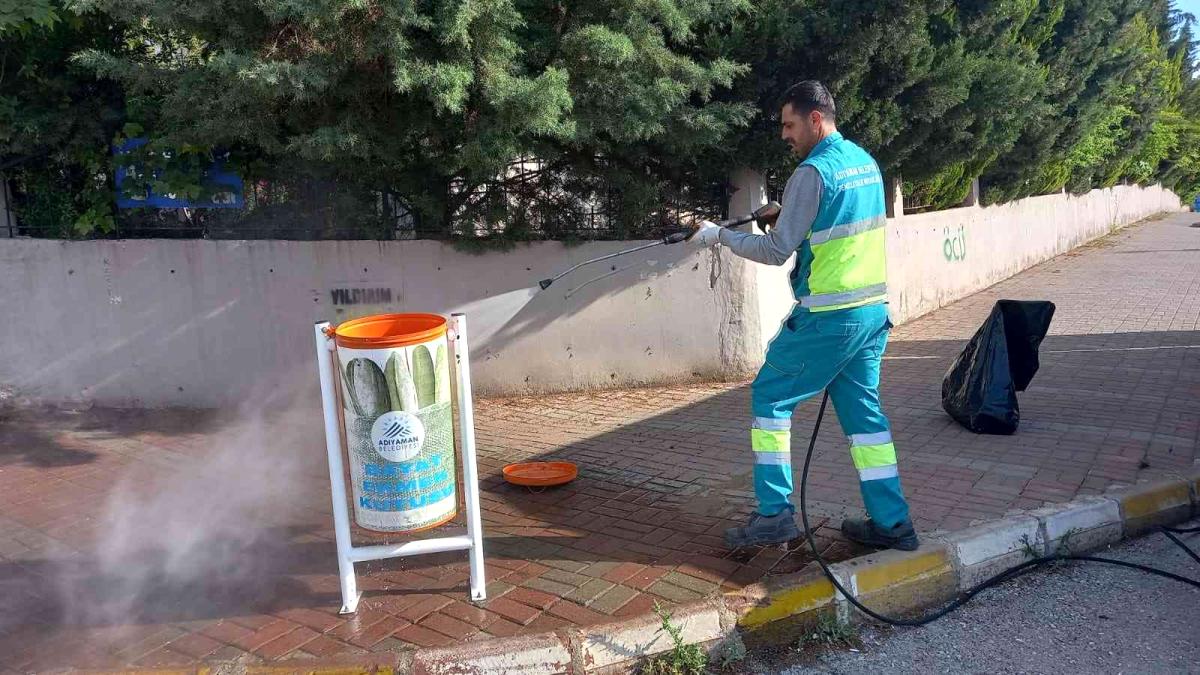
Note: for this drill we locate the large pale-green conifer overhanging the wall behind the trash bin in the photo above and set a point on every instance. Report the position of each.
(434, 101)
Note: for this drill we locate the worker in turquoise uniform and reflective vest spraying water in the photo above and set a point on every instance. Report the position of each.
(833, 219)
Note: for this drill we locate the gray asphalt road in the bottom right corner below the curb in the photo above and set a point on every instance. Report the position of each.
(1081, 618)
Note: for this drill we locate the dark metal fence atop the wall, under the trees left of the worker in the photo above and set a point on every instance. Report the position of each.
(531, 201)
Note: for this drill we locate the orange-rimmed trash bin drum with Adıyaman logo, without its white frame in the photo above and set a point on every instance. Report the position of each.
(398, 421)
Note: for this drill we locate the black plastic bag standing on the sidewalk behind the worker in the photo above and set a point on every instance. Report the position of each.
(980, 390)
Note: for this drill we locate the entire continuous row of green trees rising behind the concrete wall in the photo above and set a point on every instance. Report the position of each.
(520, 118)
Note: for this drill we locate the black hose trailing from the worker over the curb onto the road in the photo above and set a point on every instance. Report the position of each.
(965, 596)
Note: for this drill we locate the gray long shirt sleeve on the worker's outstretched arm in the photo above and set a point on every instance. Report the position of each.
(802, 198)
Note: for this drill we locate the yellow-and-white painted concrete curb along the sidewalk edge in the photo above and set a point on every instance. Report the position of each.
(782, 608)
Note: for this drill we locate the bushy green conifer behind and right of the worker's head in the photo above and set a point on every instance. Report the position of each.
(937, 91)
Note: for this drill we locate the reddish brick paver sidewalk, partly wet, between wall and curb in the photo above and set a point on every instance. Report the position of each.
(169, 537)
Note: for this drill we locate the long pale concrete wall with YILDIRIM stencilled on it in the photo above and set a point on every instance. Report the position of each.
(208, 324)
